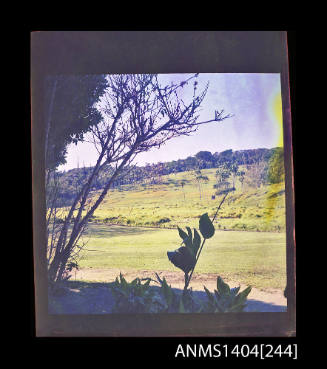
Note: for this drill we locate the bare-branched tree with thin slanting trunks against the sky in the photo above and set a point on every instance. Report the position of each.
(138, 114)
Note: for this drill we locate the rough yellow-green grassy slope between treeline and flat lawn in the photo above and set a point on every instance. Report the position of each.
(168, 204)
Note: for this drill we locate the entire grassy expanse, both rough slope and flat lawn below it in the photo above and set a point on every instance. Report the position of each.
(253, 252)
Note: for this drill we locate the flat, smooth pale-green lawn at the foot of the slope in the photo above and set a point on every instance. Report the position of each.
(253, 258)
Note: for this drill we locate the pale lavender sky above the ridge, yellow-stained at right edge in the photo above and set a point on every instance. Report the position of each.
(253, 100)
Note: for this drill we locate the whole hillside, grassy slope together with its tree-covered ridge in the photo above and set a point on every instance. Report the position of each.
(148, 197)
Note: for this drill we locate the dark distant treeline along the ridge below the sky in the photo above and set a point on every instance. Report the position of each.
(72, 180)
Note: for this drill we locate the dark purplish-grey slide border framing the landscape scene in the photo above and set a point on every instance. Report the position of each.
(87, 52)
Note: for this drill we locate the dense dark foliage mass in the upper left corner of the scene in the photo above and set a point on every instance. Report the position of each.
(70, 112)
